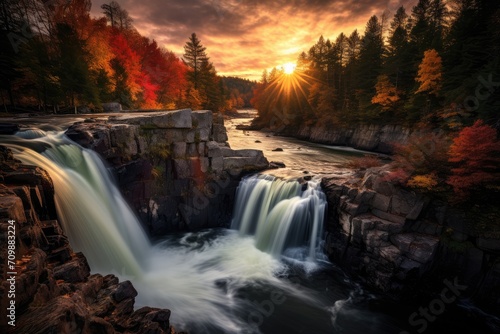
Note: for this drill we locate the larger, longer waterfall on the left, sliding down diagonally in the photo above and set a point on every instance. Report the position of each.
(90, 208)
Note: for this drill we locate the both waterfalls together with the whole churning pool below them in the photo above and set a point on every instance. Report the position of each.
(267, 274)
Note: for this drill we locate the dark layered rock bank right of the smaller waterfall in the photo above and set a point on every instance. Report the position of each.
(406, 244)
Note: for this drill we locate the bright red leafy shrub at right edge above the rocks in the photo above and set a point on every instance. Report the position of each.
(476, 151)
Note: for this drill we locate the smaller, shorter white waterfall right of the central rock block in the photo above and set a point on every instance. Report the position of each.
(281, 213)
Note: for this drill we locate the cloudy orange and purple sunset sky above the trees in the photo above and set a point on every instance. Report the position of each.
(244, 37)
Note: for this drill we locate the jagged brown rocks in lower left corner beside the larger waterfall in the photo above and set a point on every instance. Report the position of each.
(54, 290)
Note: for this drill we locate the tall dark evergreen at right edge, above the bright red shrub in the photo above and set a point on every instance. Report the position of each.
(472, 58)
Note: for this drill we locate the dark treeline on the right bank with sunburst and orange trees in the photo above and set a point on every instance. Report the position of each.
(437, 65)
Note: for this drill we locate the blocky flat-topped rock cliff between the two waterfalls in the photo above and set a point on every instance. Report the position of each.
(175, 168)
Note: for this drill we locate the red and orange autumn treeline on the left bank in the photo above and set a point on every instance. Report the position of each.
(54, 55)
